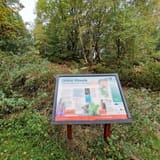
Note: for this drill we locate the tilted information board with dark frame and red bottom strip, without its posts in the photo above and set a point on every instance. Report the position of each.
(88, 99)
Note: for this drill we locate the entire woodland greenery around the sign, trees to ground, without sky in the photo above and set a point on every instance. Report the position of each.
(79, 37)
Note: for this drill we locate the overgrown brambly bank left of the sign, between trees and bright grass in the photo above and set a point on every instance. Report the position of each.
(29, 76)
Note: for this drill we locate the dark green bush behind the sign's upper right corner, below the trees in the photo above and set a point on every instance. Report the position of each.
(143, 75)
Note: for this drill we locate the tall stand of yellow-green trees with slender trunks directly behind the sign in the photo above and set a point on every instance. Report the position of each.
(94, 29)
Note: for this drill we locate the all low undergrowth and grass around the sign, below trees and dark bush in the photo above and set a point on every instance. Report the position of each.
(26, 95)
